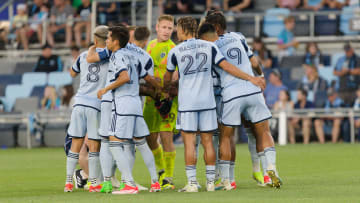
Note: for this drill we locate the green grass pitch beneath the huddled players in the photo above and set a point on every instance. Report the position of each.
(311, 173)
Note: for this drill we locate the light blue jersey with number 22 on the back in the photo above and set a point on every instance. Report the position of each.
(195, 59)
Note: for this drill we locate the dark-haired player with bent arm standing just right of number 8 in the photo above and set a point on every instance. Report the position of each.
(127, 122)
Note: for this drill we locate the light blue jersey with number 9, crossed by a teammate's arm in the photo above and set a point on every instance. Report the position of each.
(236, 51)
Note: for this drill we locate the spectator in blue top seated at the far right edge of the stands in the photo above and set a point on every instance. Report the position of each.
(348, 69)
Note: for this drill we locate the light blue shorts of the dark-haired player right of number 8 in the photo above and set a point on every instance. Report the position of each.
(128, 127)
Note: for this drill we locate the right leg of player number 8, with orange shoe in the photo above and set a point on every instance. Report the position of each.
(94, 140)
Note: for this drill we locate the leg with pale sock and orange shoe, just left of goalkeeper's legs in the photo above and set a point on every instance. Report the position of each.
(141, 131)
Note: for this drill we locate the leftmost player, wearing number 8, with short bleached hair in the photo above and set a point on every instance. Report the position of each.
(86, 113)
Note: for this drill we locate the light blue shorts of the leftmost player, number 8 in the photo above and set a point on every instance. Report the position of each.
(84, 120)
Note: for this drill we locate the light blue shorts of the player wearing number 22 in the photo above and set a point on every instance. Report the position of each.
(203, 121)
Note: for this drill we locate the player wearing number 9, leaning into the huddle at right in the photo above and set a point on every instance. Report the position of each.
(249, 102)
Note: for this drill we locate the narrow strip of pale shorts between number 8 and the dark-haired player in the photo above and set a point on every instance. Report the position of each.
(106, 108)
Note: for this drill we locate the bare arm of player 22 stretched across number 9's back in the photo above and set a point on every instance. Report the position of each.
(234, 71)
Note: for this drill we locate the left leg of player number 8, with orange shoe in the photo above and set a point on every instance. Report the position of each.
(76, 131)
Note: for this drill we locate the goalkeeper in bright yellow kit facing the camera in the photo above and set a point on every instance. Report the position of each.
(159, 125)
